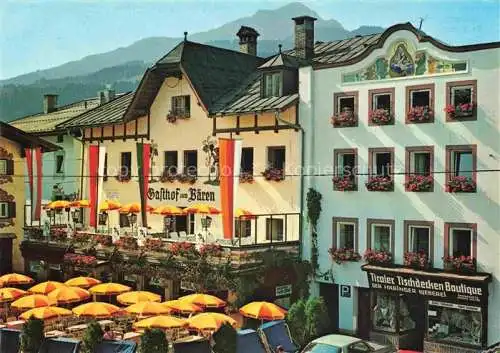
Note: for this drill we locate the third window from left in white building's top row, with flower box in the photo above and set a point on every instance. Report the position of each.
(422, 98)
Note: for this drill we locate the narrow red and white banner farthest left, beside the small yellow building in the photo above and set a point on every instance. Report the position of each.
(34, 165)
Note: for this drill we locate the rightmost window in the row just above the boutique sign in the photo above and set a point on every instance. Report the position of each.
(460, 239)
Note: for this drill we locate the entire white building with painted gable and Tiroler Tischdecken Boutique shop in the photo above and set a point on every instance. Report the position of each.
(377, 104)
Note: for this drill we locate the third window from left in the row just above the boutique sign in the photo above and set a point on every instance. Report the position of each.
(419, 236)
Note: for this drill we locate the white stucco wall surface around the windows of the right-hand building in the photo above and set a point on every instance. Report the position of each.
(482, 207)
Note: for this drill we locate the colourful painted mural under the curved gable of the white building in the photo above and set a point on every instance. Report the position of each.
(402, 60)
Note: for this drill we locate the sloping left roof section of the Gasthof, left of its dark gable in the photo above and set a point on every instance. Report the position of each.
(107, 113)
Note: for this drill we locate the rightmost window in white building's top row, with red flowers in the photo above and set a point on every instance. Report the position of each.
(461, 94)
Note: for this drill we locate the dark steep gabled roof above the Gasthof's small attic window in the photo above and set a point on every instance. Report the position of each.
(212, 72)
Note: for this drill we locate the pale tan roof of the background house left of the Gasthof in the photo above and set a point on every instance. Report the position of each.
(42, 123)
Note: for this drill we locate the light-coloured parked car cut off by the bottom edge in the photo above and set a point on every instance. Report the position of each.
(345, 344)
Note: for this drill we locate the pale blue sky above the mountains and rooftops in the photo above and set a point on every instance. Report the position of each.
(40, 34)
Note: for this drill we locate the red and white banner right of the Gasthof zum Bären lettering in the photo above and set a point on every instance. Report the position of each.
(229, 171)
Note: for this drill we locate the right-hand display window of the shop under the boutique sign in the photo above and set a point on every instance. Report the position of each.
(455, 323)
